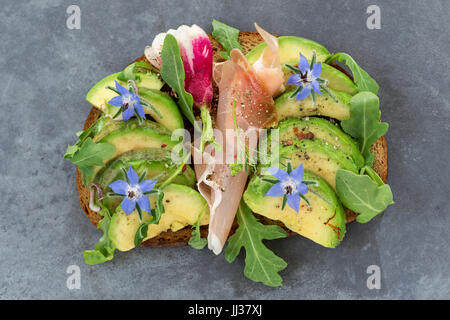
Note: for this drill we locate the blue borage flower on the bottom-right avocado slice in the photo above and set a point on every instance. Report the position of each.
(289, 185)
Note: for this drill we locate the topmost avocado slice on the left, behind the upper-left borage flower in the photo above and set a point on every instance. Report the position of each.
(99, 95)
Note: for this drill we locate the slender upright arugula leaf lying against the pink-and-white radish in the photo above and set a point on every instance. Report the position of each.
(172, 72)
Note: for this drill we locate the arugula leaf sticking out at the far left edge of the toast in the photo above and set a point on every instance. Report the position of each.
(92, 154)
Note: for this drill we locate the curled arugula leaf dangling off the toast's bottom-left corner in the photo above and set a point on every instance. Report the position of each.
(104, 250)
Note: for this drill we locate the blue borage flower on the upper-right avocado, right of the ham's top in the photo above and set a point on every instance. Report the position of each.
(307, 78)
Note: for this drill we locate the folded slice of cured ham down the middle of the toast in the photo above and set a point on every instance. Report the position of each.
(245, 106)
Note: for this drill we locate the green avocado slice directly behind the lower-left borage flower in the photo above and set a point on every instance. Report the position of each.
(155, 162)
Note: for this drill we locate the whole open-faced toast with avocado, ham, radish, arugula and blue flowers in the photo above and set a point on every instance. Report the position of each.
(230, 139)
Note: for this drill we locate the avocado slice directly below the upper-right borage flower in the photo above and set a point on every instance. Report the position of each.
(287, 106)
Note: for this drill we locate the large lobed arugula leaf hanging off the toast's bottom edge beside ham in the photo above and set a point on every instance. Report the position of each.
(261, 264)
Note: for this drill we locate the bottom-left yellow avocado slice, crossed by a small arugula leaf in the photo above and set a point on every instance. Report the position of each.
(183, 206)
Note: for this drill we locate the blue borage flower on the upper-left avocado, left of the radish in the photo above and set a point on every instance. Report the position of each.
(128, 101)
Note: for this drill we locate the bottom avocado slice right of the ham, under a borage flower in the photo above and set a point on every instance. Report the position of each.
(323, 222)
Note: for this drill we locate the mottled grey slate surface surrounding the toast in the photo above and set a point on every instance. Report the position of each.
(47, 69)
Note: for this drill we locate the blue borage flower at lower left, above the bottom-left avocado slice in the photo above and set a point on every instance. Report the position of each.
(134, 191)
